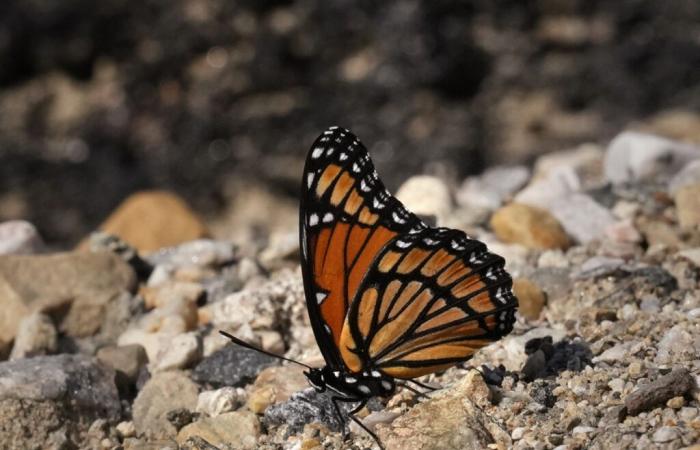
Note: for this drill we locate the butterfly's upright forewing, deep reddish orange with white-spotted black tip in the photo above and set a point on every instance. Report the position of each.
(346, 218)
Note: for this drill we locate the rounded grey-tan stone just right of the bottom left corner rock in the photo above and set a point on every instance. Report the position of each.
(164, 392)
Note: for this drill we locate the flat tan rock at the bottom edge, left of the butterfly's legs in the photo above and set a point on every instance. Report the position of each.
(238, 429)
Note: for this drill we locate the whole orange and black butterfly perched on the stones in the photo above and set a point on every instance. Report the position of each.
(389, 298)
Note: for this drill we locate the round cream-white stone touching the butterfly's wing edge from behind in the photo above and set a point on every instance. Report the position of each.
(426, 195)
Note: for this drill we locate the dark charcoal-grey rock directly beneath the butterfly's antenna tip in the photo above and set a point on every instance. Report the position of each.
(233, 365)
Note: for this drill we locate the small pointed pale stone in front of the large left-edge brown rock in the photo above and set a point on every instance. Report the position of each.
(36, 335)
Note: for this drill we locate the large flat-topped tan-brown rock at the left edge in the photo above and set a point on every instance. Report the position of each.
(76, 287)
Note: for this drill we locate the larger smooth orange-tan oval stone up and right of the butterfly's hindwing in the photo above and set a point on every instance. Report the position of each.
(528, 225)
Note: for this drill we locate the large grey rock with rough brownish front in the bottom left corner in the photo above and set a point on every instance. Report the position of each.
(54, 397)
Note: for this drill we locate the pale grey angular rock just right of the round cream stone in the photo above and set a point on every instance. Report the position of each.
(491, 188)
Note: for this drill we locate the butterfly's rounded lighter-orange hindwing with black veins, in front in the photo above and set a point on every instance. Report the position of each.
(431, 300)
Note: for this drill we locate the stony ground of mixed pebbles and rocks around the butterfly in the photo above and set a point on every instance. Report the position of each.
(116, 344)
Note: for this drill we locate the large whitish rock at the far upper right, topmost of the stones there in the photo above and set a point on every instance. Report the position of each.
(633, 156)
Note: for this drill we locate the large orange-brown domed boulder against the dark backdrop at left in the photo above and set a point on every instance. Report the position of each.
(150, 220)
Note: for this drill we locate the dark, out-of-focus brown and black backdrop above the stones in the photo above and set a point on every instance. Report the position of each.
(219, 100)
